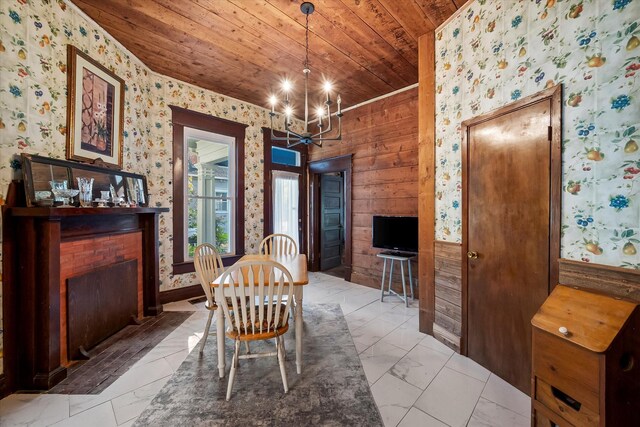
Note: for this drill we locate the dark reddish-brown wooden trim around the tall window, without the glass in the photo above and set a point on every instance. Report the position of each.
(182, 118)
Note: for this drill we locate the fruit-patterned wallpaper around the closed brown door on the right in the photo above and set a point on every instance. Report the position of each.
(496, 52)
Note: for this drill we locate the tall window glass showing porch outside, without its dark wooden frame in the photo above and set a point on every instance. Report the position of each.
(210, 190)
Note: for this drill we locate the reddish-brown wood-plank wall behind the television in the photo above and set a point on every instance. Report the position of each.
(383, 138)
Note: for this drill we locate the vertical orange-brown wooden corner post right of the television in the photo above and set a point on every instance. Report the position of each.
(426, 182)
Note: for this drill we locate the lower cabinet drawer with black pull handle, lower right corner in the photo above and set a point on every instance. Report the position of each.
(565, 405)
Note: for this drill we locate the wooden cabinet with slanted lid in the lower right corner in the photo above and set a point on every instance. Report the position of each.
(586, 361)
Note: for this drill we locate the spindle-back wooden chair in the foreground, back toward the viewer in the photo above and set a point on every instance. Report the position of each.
(270, 286)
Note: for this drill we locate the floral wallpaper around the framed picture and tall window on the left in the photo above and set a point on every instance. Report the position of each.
(33, 39)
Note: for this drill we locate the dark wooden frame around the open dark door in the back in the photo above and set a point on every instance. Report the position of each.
(334, 164)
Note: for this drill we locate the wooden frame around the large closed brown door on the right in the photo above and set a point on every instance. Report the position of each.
(554, 94)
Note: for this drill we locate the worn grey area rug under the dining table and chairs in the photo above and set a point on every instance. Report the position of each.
(331, 391)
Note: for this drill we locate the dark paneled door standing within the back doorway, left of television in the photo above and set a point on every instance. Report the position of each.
(331, 226)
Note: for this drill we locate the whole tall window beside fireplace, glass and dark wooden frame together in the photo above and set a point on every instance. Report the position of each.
(208, 187)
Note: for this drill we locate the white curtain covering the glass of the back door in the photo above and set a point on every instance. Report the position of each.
(285, 204)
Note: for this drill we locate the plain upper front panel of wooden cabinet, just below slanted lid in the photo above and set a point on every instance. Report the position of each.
(569, 368)
